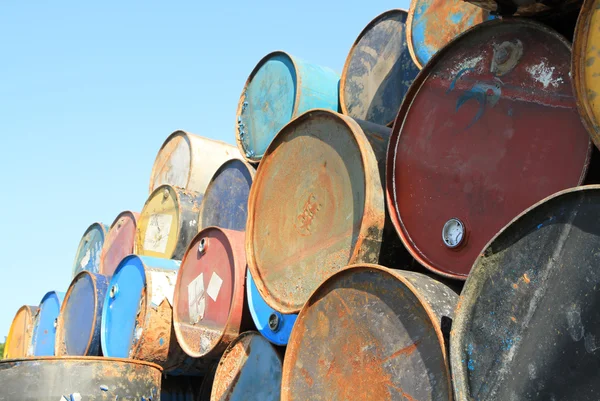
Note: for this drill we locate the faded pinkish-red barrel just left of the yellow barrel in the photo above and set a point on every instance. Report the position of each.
(119, 242)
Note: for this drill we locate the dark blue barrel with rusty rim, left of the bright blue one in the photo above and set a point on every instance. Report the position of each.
(78, 330)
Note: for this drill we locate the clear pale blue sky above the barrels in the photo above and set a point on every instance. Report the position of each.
(90, 90)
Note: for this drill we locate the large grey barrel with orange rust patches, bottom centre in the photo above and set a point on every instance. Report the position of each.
(371, 333)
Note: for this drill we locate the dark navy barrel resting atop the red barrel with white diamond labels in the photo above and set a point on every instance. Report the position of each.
(225, 202)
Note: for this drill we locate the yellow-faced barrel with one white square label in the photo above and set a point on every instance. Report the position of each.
(168, 222)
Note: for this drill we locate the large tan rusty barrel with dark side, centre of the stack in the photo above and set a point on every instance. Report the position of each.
(316, 205)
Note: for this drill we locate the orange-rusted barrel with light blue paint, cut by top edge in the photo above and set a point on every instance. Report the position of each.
(432, 24)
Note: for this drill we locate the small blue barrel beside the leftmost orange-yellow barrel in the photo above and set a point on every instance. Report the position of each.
(44, 329)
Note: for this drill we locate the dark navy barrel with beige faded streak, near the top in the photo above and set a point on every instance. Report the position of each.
(378, 70)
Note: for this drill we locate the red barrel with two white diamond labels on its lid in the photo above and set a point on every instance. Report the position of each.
(209, 310)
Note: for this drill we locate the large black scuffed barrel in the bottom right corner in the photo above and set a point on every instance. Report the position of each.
(528, 324)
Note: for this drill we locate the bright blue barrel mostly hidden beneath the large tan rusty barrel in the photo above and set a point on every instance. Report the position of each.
(274, 326)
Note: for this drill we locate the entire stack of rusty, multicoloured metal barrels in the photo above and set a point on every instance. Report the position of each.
(416, 229)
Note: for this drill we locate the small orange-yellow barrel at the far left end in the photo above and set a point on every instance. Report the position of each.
(19, 336)
